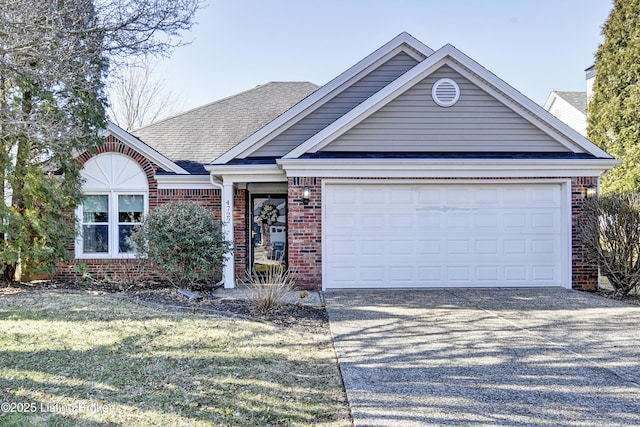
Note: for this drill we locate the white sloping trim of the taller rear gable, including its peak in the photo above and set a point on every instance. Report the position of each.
(326, 92)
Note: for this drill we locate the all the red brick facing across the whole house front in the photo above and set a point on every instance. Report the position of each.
(304, 227)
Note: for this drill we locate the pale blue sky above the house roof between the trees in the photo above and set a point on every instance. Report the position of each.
(534, 45)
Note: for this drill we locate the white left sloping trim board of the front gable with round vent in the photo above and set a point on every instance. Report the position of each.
(368, 107)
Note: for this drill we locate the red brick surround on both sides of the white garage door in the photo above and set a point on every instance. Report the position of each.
(305, 234)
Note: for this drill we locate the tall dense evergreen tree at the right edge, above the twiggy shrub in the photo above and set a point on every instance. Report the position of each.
(614, 110)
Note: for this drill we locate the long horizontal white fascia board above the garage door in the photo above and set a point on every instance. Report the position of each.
(445, 168)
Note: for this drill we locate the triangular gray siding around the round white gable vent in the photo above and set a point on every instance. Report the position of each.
(413, 122)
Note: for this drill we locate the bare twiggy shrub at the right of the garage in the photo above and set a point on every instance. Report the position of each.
(610, 230)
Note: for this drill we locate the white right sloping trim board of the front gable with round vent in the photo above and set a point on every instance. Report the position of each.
(540, 115)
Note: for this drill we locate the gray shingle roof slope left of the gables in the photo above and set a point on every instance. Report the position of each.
(204, 133)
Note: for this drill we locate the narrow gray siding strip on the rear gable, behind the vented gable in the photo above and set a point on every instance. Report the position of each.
(337, 107)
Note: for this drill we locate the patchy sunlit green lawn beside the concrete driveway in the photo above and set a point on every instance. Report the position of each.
(96, 360)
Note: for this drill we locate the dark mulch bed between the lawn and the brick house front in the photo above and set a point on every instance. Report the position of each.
(296, 316)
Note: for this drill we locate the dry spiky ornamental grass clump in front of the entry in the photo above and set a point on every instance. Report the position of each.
(269, 288)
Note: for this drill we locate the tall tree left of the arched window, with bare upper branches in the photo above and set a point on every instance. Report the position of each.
(54, 58)
